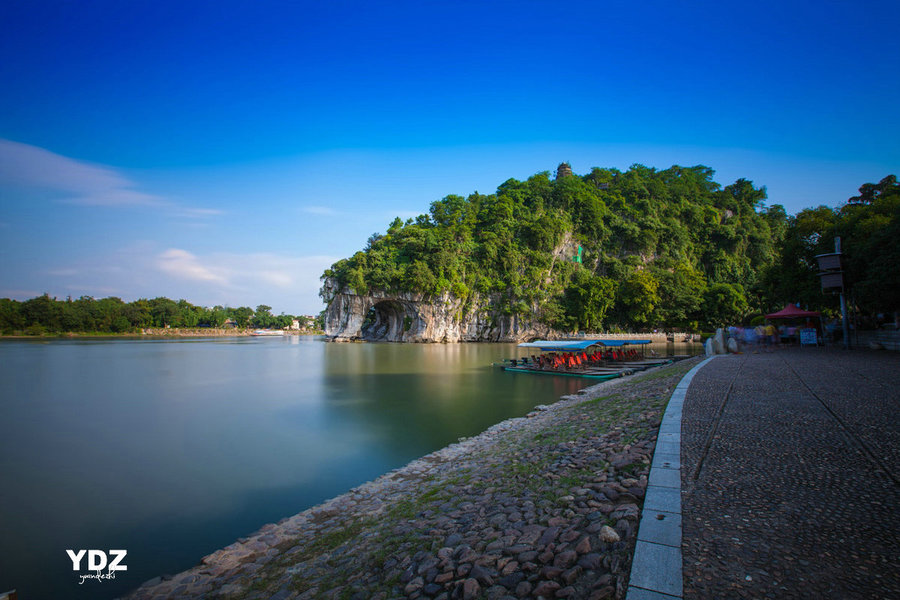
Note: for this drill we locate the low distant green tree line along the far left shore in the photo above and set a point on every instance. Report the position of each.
(112, 315)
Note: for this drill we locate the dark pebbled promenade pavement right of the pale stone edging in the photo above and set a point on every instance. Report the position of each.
(789, 472)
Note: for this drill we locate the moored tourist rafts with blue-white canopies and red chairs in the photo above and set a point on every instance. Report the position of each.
(608, 359)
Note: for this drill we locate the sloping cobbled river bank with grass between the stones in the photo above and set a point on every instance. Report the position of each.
(542, 506)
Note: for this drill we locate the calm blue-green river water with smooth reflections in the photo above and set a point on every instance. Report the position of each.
(172, 449)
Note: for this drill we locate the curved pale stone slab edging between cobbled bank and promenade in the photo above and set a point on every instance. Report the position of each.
(656, 572)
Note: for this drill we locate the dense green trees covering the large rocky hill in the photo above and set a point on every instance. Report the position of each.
(659, 249)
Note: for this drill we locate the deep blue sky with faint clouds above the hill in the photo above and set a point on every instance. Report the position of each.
(228, 152)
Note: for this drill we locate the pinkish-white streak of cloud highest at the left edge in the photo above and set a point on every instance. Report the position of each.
(79, 182)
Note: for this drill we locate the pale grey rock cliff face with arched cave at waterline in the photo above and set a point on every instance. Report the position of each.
(409, 317)
